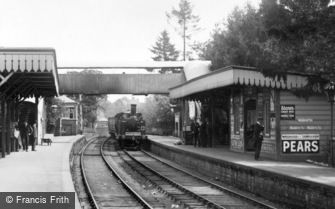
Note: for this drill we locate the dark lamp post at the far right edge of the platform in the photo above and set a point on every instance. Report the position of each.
(330, 91)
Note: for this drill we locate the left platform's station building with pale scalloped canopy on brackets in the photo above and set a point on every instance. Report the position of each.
(24, 73)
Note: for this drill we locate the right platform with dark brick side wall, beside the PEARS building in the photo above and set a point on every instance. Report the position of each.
(294, 184)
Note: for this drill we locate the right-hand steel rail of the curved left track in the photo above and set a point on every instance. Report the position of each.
(144, 203)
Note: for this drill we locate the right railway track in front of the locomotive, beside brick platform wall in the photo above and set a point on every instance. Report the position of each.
(189, 190)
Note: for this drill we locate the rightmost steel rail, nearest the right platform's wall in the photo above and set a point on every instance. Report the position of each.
(234, 193)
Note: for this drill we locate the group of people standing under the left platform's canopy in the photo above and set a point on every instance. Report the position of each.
(25, 135)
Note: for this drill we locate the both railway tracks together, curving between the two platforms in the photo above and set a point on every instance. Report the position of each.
(107, 187)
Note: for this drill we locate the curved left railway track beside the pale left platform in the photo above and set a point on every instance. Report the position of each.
(104, 186)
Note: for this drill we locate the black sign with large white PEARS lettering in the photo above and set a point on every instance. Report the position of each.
(300, 143)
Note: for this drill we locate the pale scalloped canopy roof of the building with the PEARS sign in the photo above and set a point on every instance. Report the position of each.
(235, 75)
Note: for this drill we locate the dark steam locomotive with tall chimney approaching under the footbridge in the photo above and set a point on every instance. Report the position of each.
(129, 129)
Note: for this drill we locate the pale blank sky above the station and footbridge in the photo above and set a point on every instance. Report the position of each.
(100, 32)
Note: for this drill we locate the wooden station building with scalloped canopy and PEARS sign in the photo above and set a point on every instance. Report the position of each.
(234, 98)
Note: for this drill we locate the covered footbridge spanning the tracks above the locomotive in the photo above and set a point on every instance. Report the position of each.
(138, 84)
